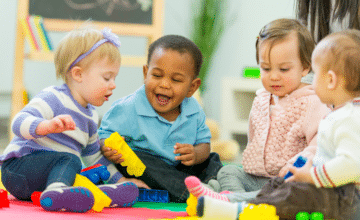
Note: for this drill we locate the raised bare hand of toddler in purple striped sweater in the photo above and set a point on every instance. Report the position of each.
(58, 124)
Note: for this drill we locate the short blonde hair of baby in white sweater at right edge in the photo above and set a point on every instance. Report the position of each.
(342, 55)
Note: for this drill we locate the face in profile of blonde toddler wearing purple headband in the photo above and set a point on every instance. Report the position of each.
(97, 82)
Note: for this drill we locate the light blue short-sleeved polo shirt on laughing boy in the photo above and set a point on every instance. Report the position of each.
(144, 130)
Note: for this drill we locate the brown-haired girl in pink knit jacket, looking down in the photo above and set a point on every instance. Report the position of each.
(283, 120)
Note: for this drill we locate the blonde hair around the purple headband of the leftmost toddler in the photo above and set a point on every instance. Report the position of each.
(78, 42)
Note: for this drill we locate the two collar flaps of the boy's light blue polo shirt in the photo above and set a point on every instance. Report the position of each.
(144, 108)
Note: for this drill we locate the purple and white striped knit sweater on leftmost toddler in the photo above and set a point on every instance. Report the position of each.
(83, 141)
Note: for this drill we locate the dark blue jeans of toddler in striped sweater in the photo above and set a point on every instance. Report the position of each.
(34, 172)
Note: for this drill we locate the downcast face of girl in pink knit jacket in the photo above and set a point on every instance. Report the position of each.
(280, 65)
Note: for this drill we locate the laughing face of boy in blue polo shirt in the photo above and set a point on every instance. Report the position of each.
(168, 79)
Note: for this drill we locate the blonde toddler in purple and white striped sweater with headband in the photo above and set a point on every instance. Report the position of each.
(57, 131)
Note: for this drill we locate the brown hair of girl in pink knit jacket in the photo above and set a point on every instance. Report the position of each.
(279, 29)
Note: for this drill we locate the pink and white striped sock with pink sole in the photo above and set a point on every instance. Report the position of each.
(197, 189)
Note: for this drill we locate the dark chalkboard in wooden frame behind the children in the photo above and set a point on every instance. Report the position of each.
(122, 11)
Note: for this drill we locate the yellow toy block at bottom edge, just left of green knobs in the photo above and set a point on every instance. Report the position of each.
(259, 212)
